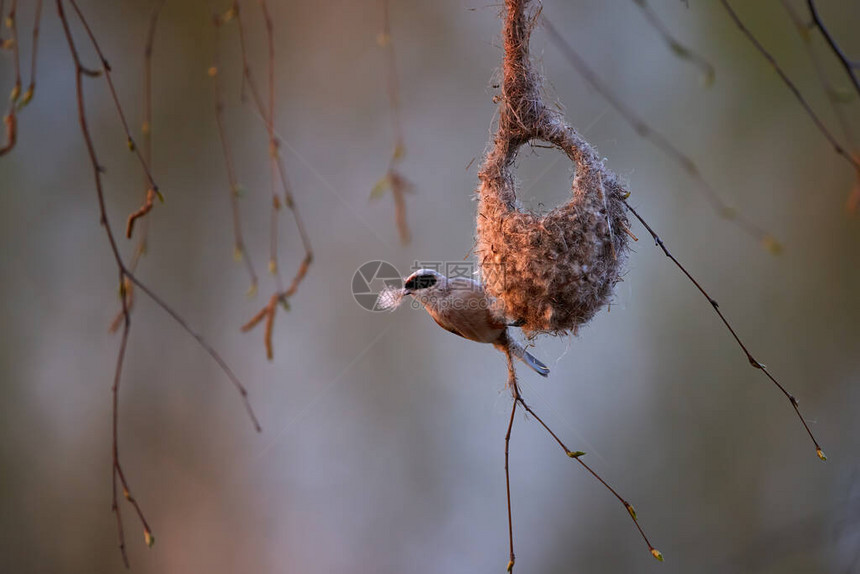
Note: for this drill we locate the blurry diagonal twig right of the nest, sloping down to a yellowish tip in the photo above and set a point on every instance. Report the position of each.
(717, 204)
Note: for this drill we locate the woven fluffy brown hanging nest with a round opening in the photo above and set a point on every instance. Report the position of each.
(550, 273)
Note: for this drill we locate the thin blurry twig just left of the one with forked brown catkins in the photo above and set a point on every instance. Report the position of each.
(240, 252)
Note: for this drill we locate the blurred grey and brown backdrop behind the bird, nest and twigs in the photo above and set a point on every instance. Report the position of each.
(382, 444)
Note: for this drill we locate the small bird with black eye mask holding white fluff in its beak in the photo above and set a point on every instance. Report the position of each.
(461, 306)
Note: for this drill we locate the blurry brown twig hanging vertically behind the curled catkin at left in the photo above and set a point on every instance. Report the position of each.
(146, 151)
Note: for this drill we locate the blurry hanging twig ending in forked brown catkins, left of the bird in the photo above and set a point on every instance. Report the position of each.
(266, 113)
